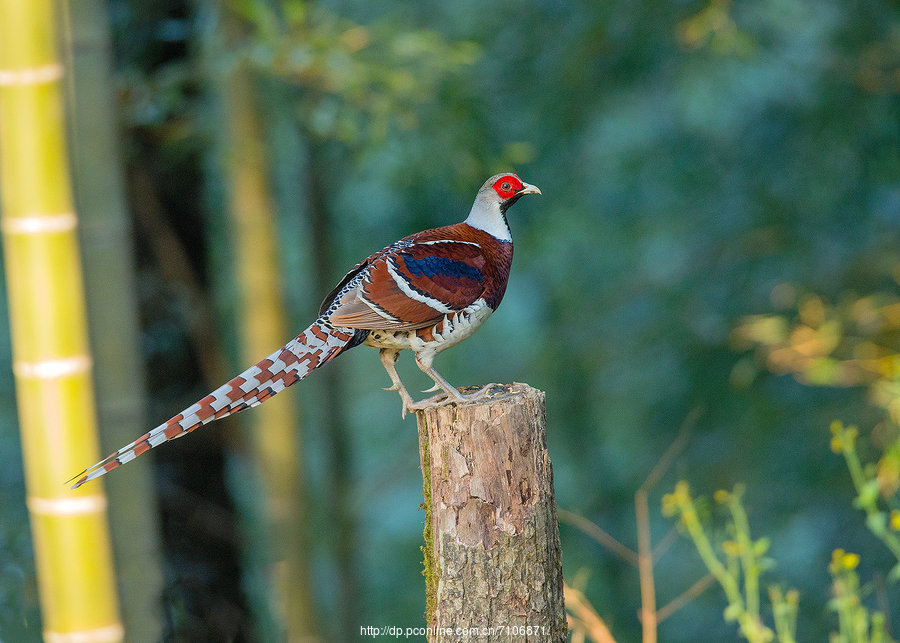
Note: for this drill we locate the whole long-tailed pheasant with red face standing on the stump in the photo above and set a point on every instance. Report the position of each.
(425, 292)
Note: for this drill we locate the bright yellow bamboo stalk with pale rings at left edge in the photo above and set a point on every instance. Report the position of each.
(51, 361)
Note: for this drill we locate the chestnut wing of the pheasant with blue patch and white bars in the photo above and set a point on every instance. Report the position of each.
(413, 285)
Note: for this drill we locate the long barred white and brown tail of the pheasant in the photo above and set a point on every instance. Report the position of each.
(315, 346)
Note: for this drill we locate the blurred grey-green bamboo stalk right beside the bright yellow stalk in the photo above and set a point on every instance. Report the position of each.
(108, 260)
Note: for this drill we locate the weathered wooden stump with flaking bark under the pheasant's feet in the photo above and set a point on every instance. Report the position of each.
(492, 556)
